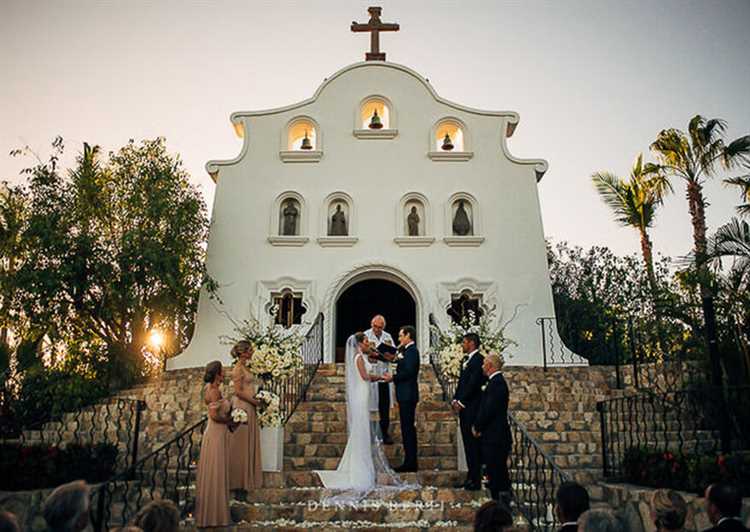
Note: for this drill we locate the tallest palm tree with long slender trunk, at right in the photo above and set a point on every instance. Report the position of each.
(696, 157)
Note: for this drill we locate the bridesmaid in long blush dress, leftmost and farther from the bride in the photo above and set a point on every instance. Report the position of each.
(212, 486)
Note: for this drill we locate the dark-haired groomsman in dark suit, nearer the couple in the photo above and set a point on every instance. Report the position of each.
(466, 404)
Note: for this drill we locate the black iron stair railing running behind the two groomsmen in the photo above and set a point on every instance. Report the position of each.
(534, 475)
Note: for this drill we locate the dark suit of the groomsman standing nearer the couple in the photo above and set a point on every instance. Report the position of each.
(469, 394)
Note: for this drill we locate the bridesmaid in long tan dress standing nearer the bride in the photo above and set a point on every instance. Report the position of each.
(244, 444)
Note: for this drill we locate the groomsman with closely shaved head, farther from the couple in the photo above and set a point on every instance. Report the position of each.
(491, 426)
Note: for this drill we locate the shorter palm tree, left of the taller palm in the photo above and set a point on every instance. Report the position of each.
(634, 202)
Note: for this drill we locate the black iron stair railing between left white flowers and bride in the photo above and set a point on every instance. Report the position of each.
(293, 390)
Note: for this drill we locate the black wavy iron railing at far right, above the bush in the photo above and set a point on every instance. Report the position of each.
(684, 424)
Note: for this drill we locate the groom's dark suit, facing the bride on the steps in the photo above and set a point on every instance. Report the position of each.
(407, 395)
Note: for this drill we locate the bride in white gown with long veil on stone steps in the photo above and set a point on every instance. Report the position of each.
(364, 464)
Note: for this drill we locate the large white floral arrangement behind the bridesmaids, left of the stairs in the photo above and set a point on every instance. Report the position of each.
(276, 351)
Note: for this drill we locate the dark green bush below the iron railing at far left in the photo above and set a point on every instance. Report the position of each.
(43, 466)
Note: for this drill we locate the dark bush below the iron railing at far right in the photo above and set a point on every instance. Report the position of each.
(686, 472)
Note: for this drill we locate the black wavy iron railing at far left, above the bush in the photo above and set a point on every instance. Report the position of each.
(34, 420)
